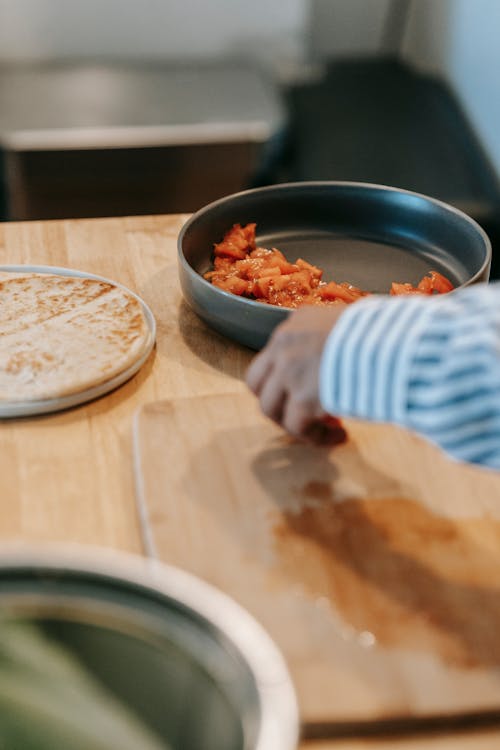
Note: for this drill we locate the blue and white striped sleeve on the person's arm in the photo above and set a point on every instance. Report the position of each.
(429, 364)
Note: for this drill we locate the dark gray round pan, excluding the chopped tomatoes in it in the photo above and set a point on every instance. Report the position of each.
(369, 235)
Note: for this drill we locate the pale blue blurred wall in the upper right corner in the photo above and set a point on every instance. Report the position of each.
(460, 40)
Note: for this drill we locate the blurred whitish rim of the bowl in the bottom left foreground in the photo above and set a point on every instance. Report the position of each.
(278, 709)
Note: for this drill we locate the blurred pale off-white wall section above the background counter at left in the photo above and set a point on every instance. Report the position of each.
(166, 29)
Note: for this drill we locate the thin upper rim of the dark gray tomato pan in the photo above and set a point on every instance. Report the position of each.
(313, 184)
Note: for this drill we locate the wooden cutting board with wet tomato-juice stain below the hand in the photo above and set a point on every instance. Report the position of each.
(375, 565)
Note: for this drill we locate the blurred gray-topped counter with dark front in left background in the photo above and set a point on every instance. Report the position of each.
(84, 140)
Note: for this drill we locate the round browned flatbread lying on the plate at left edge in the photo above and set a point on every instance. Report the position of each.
(61, 335)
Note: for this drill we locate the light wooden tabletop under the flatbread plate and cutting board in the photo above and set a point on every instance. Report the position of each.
(69, 476)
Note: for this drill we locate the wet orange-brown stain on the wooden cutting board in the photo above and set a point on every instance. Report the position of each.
(393, 569)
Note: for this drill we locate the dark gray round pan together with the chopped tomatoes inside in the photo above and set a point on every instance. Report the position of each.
(247, 260)
